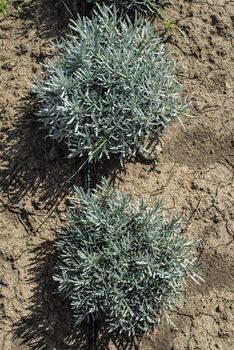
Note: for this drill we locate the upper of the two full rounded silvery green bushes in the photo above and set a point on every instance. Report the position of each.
(112, 85)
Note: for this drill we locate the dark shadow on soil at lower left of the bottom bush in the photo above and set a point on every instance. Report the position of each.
(49, 323)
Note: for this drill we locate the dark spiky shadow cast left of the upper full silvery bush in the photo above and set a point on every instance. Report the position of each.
(36, 165)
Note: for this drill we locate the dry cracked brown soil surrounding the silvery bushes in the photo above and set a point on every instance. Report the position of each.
(194, 175)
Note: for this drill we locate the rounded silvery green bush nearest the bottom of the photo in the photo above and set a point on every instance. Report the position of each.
(121, 260)
